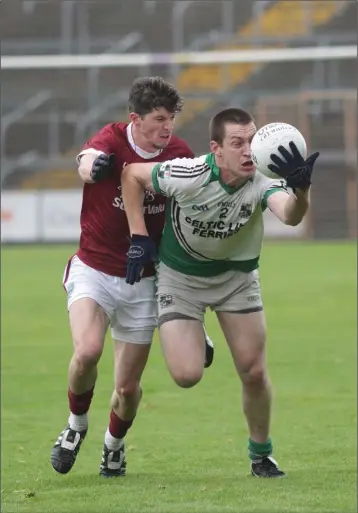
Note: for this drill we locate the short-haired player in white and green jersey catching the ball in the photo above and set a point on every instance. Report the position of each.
(209, 256)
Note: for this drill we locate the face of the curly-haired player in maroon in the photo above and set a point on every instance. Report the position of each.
(155, 128)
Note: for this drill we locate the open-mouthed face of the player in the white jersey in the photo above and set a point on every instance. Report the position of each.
(235, 152)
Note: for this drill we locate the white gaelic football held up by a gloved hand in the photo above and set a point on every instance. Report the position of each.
(267, 140)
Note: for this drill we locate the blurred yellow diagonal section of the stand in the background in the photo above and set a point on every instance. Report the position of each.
(286, 18)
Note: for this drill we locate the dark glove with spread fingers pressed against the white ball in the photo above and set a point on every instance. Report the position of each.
(295, 169)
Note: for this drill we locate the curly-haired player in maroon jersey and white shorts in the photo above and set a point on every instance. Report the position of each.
(94, 279)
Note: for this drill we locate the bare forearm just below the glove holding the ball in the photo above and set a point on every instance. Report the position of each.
(289, 208)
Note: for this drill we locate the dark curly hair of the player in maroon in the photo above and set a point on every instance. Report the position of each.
(149, 93)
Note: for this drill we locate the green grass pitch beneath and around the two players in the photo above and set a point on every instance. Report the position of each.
(187, 451)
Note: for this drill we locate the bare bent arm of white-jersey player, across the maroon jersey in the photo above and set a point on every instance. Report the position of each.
(135, 179)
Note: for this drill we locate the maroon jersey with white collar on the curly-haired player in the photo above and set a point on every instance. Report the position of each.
(105, 236)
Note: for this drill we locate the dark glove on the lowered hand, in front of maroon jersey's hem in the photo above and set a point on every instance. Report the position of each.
(142, 251)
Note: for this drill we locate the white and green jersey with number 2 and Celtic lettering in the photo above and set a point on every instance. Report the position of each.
(211, 227)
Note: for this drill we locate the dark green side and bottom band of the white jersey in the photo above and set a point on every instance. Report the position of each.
(174, 255)
